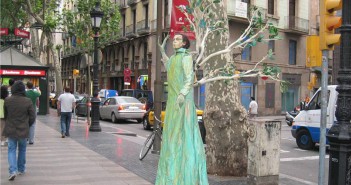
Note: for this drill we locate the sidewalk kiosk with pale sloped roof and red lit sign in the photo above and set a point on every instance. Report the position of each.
(19, 66)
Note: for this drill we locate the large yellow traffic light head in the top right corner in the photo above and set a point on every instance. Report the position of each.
(328, 23)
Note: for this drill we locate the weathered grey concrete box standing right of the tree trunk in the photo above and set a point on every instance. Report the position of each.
(263, 151)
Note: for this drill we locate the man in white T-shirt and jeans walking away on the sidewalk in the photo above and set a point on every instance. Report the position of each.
(66, 103)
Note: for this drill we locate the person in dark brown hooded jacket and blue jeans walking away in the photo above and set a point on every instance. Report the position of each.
(19, 115)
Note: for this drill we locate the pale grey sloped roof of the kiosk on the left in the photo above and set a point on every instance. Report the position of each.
(12, 57)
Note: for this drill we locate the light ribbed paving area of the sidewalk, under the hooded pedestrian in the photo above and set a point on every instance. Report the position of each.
(56, 160)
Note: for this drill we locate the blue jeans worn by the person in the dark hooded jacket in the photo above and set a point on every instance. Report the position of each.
(17, 164)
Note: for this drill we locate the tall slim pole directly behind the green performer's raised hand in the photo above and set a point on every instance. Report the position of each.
(158, 83)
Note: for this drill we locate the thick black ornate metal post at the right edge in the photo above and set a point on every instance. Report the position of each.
(339, 135)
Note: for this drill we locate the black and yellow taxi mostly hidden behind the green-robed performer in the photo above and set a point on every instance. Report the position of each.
(148, 120)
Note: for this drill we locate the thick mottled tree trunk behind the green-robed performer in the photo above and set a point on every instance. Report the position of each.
(225, 118)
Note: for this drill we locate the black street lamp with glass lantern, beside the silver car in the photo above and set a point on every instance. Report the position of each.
(96, 15)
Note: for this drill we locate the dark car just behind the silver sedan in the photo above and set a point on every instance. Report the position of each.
(144, 96)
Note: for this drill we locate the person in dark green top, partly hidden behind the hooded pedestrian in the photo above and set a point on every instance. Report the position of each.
(34, 96)
